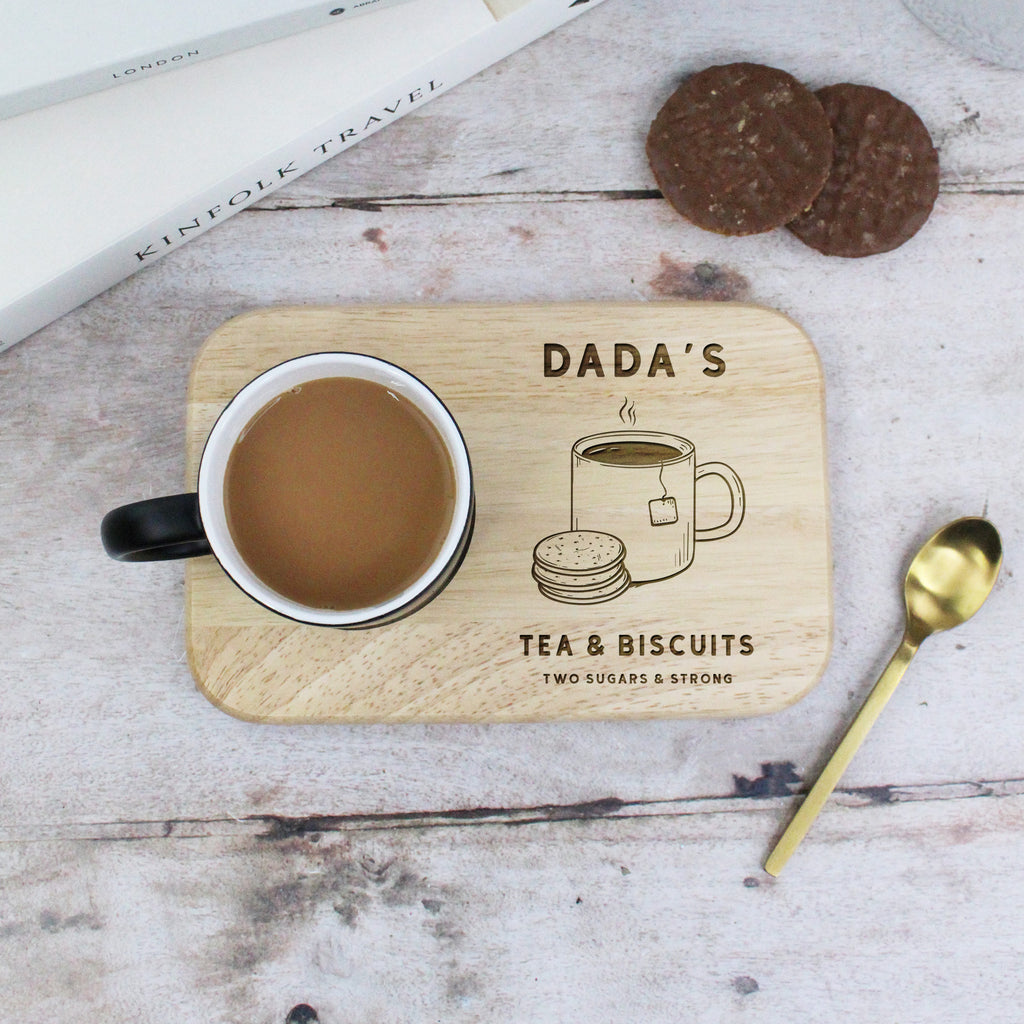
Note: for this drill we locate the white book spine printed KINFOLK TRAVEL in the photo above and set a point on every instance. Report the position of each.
(175, 228)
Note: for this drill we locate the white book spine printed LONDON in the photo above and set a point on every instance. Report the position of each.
(135, 67)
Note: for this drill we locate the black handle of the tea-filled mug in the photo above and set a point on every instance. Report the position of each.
(156, 530)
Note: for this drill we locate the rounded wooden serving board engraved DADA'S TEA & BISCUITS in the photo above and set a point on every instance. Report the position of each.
(746, 629)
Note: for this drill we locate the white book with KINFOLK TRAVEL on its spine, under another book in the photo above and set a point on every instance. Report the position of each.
(96, 189)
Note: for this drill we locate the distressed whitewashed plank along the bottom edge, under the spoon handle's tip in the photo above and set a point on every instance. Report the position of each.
(913, 910)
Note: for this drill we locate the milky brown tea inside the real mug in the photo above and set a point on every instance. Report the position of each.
(339, 494)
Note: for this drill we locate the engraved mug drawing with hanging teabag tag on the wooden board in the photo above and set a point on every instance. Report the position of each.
(641, 486)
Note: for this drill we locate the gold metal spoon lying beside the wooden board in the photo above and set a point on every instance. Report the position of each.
(947, 584)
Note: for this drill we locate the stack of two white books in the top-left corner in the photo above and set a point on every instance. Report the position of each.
(138, 127)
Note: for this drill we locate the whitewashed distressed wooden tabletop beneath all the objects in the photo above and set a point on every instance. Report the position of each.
(161, 862)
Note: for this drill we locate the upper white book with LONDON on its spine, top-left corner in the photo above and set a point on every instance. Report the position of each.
(60, 50)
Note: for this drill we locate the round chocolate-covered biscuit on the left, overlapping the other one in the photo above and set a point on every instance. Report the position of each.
(741, 149)
